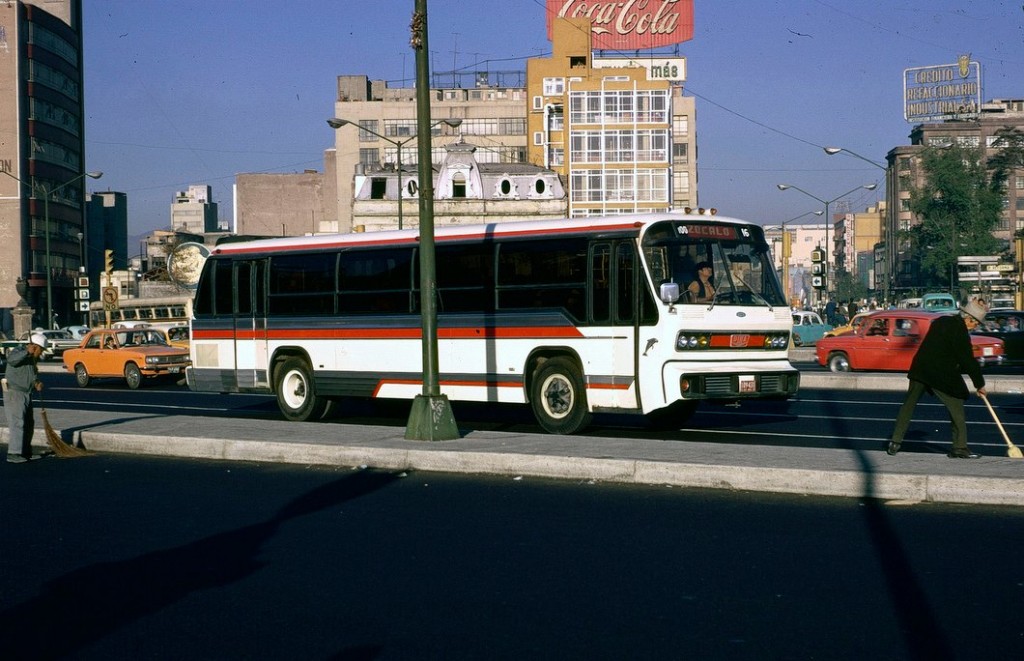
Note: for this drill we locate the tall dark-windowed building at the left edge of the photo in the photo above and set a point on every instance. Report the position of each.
(42, 157)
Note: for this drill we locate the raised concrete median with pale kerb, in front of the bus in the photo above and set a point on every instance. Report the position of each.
(909, 476)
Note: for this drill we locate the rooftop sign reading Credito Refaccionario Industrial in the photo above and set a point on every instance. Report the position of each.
(943, 93)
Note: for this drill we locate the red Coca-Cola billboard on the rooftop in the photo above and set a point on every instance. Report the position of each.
(629, 25)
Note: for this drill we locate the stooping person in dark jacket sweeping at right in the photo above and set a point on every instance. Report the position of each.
(944, 358)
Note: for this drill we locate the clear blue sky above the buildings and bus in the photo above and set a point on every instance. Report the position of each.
(194, 92)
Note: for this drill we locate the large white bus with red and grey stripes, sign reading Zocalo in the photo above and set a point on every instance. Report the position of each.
(570, 317)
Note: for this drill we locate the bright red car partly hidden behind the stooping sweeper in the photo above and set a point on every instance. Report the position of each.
(888, 339)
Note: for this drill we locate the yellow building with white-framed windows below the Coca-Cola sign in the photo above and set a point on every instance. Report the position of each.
(619, 130)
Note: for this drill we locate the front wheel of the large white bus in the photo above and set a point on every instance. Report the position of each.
(560, 398)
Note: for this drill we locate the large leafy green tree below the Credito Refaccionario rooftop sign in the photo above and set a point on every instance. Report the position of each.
(960, 205)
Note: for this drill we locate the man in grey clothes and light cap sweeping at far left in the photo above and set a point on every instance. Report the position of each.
(22, 378)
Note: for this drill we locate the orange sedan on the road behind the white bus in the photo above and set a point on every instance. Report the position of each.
(129, 354)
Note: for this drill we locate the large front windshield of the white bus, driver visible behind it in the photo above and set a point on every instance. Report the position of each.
(742, 270)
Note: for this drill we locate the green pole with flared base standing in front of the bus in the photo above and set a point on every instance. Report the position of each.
(432, 418)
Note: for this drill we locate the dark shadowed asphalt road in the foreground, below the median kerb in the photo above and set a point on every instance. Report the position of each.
(117, 557)
